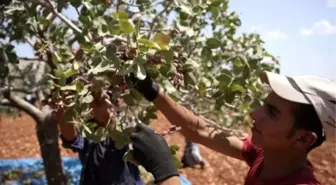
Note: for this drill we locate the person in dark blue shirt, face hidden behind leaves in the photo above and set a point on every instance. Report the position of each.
(102, 162)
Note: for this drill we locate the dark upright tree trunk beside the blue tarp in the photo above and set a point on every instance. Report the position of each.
(47, 134)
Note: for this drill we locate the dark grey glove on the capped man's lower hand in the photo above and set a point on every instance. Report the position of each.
(153, 153)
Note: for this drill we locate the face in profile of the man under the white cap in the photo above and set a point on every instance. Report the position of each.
(273, 122)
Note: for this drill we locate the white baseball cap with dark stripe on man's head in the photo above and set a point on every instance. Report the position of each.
(319, 92)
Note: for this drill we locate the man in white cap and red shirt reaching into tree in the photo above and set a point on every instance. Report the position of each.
(295, 118)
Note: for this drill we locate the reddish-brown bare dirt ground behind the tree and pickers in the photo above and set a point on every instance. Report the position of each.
(18, 140)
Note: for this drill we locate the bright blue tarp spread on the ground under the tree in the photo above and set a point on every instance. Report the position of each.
(32, 166)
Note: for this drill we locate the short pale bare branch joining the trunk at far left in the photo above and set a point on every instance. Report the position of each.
(23, 105)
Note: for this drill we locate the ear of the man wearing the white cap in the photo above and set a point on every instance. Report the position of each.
(305, 139)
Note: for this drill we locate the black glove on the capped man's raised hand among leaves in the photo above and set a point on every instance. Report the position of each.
(146, 87)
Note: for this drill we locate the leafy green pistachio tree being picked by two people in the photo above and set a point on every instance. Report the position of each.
(192, 49)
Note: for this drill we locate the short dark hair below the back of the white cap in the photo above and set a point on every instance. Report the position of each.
(306, 118)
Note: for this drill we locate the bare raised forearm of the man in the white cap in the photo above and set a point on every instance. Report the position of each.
(195, 128)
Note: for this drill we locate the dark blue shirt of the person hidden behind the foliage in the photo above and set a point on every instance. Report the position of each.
(102, 163)
